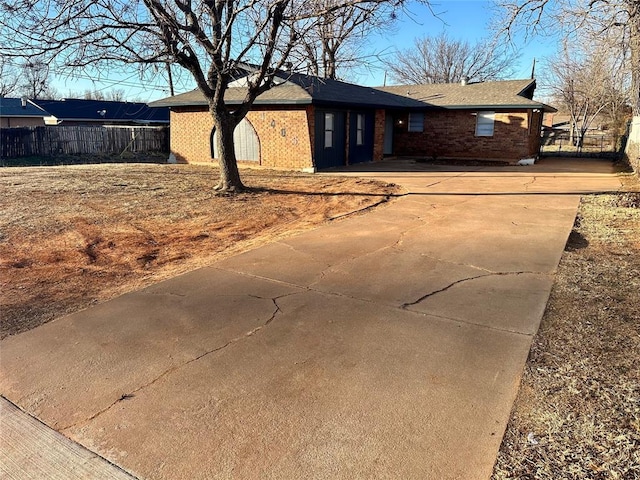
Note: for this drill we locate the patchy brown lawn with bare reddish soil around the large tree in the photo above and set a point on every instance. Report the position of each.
(73, 236)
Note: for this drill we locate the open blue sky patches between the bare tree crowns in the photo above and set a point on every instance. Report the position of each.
(460, 19)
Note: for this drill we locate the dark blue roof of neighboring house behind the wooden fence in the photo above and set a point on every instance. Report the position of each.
(102, 110)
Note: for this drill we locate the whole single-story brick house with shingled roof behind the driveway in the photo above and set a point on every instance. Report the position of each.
(306, 123)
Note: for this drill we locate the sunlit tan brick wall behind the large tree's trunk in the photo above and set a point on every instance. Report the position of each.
(283, 134)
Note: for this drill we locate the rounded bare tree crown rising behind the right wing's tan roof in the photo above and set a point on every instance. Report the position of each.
(441, 59)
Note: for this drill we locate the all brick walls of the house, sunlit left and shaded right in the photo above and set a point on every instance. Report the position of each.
(286, 135)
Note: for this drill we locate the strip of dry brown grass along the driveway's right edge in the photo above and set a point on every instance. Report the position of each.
(577, 415)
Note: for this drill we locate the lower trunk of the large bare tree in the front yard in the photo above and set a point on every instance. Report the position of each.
(230, 181)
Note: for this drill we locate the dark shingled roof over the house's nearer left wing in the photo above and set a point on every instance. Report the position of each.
(299, 89)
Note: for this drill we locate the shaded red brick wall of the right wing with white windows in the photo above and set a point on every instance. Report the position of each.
(451, 134)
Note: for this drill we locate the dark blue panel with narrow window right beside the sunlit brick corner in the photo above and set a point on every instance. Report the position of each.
(330, 139)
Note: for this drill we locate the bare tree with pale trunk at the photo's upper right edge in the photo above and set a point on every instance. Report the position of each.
(581, 21)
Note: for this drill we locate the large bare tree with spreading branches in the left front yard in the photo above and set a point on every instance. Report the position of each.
(214, 40)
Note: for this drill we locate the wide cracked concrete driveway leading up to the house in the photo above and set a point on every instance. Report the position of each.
(385, 345)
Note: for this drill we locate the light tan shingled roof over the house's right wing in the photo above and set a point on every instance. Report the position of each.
(483, 95)
